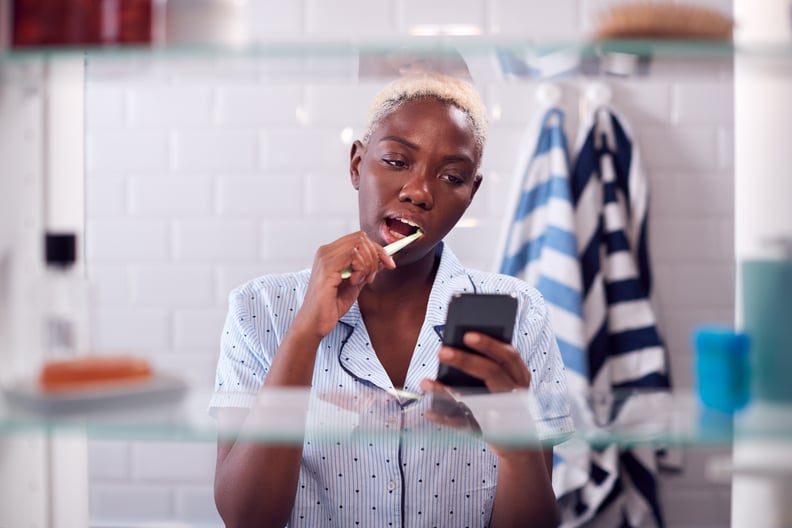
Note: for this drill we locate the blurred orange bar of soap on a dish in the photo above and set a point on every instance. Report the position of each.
(90, 371)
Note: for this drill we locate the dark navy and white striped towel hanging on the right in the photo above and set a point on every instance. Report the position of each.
(623, 346)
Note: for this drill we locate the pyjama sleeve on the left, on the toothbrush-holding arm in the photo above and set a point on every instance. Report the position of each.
(242, 365)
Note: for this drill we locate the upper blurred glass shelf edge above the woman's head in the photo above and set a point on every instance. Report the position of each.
(486, 59)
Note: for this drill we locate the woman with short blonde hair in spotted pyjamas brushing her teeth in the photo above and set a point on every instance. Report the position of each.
(362, 338)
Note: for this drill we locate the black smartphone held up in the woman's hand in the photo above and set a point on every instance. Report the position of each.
(491, 314)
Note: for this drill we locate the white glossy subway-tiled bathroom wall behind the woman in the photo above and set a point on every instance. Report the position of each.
(204, 172)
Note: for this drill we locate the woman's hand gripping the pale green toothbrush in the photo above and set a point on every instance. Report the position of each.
(329, 296)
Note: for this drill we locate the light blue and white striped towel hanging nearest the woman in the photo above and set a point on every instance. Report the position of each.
(541, 248)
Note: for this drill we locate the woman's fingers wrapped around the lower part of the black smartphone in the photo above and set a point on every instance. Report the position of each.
(499, 364)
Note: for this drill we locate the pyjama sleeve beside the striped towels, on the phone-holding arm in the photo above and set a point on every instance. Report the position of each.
(536, 341)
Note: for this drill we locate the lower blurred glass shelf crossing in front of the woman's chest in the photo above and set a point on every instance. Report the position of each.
(287, 415)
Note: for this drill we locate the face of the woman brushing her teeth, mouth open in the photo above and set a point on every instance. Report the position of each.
(418, 170)
